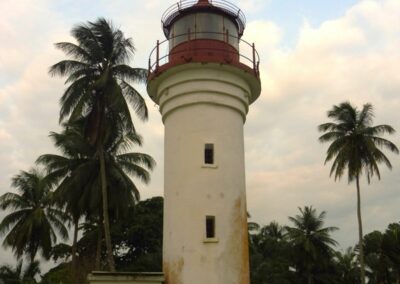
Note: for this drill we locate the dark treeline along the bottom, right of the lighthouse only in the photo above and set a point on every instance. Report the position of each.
(304, 252)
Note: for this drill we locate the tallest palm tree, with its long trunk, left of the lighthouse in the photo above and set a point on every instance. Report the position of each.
(99, 87)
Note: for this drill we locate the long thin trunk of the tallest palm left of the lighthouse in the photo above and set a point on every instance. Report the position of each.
(106, 221)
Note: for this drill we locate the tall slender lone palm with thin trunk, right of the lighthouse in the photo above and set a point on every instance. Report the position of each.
(356, 147)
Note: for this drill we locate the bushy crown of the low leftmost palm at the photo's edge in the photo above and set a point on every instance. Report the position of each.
(33, 224)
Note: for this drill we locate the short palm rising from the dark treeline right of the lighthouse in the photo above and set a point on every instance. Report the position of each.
(311, 242)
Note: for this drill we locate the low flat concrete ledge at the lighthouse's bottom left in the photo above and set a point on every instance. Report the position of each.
(104, 277)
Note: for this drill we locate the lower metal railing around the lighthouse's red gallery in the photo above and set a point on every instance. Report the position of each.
(247, 53)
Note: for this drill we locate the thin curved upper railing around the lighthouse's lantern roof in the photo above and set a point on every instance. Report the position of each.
(229, 8)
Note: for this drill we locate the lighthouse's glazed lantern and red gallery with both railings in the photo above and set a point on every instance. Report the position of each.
(203, 31)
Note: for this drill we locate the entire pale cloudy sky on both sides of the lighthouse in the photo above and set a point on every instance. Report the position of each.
(314, 54)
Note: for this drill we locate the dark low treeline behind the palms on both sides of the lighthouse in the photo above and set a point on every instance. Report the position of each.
(303, 251)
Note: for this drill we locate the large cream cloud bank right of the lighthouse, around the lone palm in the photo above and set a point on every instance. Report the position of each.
(339, 60)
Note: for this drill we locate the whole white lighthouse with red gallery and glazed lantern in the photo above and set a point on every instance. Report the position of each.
(204, 84)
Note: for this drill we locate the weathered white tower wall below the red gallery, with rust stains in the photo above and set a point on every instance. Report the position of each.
(204, 104)
